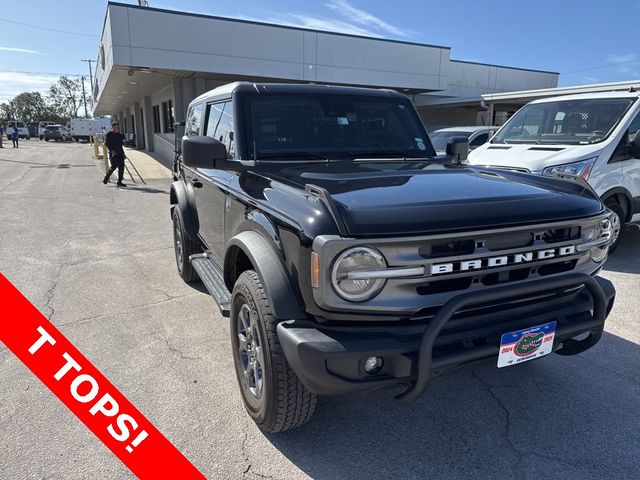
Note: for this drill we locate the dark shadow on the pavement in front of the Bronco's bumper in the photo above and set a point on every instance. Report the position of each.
(571, 415)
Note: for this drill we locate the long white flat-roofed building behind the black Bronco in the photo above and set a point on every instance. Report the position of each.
(153, 62)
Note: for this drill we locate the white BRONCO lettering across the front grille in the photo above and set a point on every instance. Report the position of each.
(502, 260)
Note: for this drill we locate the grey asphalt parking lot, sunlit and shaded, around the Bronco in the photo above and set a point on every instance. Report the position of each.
(98, 261)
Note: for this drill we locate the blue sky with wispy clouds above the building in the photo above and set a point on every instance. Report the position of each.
(586, 41)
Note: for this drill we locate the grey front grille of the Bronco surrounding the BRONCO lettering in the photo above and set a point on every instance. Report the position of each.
(463, 262)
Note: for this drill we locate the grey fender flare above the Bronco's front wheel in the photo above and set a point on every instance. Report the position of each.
(266, 262)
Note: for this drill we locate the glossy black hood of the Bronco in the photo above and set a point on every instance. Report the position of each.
(441, 198)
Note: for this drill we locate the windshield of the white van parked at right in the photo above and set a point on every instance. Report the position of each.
(573, 122)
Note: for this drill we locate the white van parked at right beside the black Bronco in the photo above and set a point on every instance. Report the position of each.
(591, 135)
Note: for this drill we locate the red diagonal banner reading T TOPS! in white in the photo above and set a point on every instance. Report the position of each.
(86, 392)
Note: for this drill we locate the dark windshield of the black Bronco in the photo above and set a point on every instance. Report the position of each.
(317, 126)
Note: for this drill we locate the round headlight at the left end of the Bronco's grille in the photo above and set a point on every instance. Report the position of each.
(358, 259)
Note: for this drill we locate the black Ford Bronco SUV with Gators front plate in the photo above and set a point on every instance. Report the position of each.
(349, 256)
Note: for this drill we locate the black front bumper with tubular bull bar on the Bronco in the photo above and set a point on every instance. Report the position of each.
(330, 359)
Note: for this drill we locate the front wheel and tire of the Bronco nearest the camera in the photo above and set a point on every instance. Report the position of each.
(273, 395)
